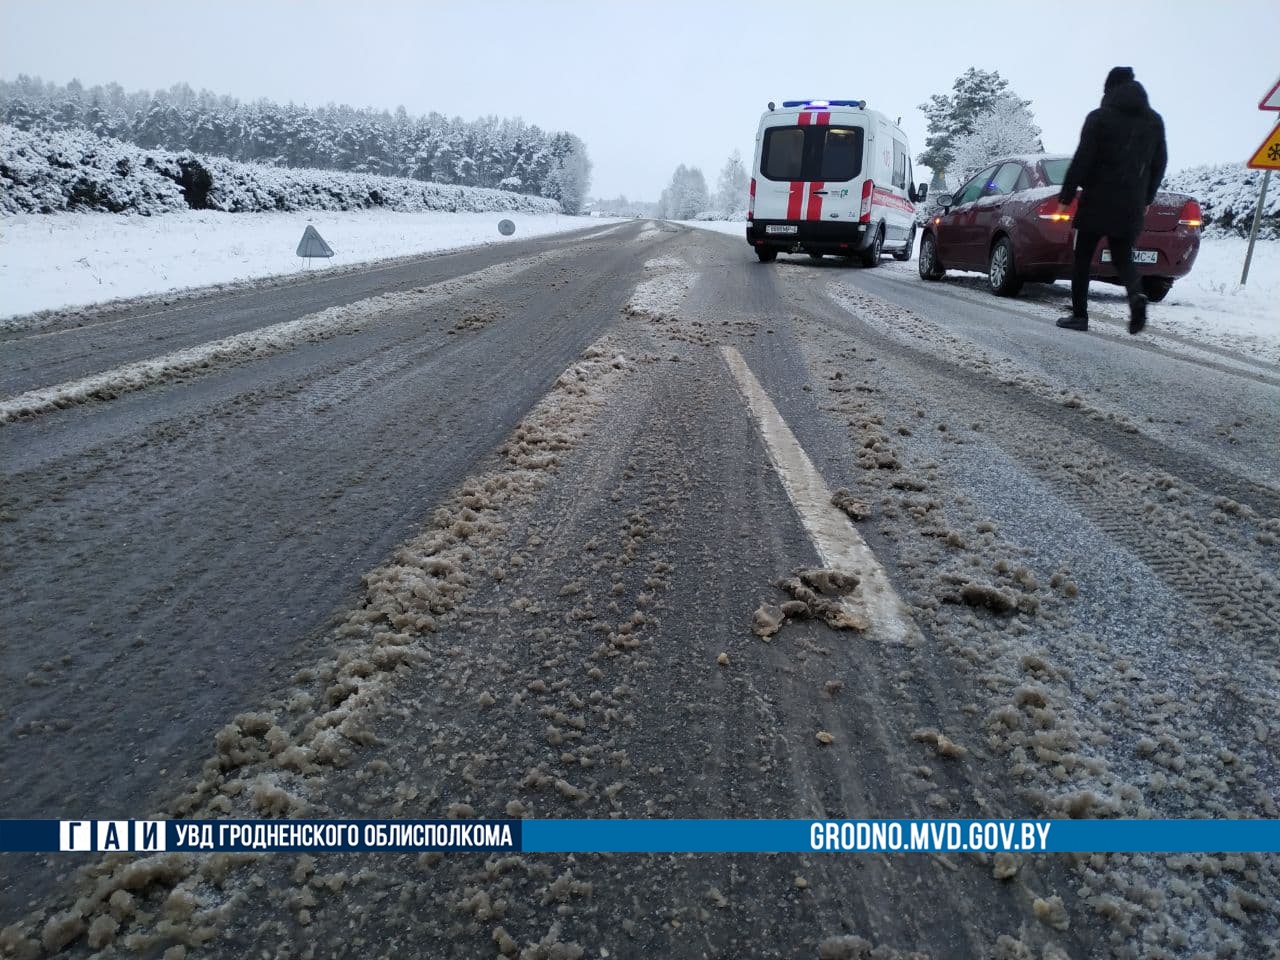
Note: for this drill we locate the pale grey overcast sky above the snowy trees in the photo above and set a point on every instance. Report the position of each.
(653, 85)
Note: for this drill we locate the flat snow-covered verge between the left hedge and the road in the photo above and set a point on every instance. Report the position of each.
(49, 262)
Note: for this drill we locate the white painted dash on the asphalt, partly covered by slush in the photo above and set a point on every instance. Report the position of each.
(839, 545)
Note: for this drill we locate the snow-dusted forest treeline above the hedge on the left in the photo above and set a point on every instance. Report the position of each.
(505, 154)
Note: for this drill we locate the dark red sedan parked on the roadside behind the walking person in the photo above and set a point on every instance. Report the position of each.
(1007, 222)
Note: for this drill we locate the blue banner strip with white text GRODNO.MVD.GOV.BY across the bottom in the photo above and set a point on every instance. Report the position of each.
(643, 836)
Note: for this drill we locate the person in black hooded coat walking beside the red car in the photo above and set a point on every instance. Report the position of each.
(1119, 164)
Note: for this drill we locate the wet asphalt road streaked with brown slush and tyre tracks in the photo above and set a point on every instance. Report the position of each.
(533, 532)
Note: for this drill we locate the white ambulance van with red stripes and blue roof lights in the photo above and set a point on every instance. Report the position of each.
(831, 177)
